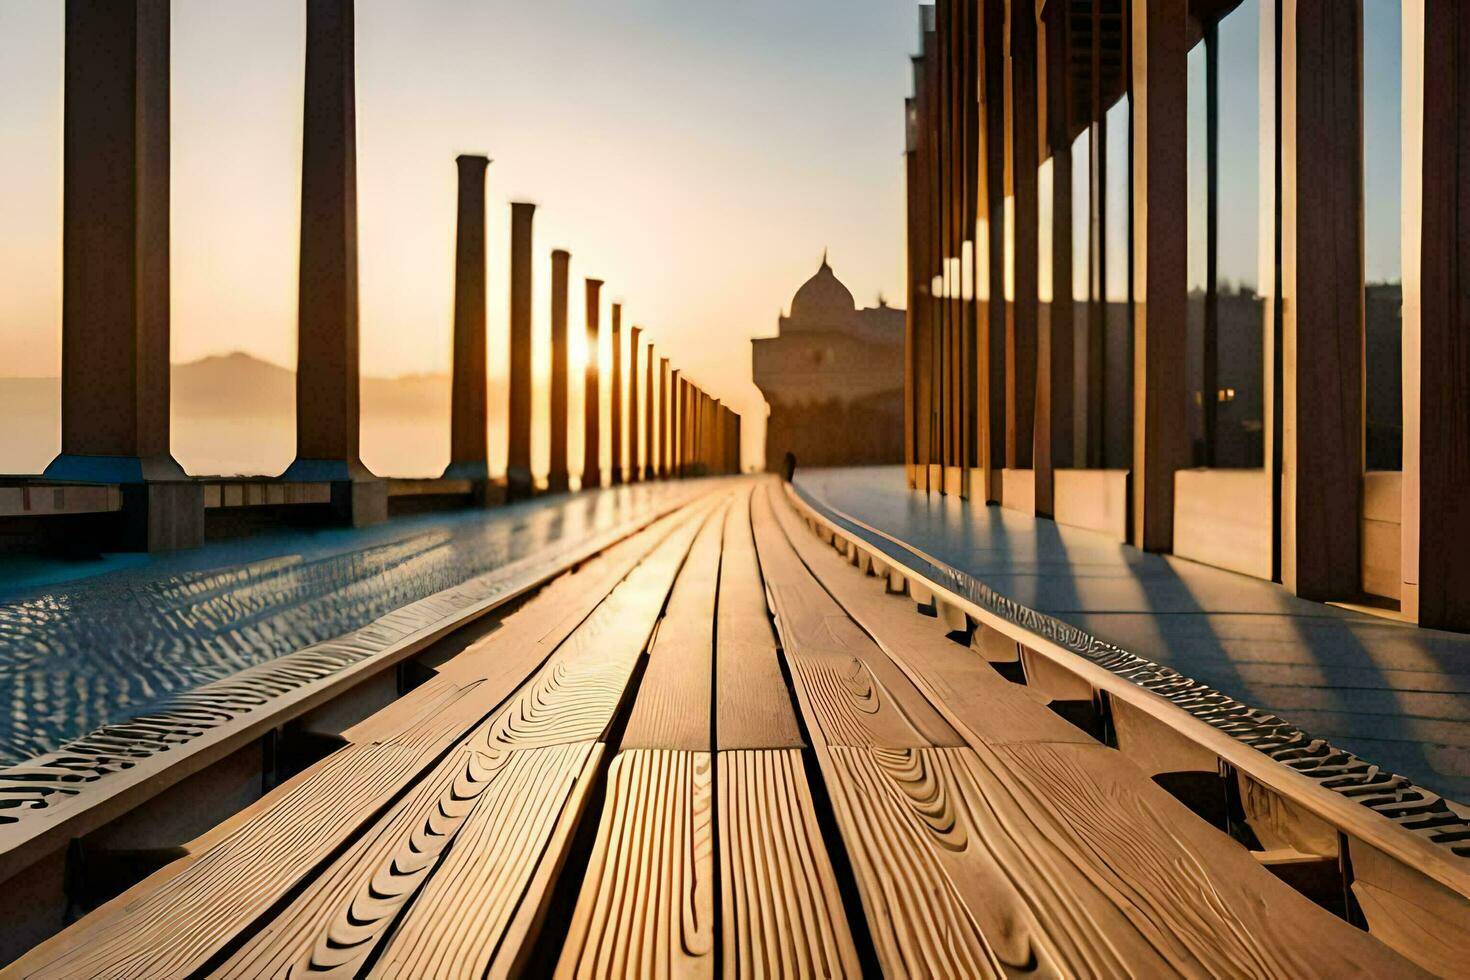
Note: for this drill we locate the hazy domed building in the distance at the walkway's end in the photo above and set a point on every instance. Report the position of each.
(834, 378)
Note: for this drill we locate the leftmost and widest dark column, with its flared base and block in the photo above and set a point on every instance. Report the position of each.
(115, 271)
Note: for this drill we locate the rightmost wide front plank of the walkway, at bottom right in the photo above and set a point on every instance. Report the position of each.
(1184, 893)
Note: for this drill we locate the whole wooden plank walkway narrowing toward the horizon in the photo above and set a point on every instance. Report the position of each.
(717, 749)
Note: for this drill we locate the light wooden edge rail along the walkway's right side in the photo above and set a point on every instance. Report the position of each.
(1349, 816)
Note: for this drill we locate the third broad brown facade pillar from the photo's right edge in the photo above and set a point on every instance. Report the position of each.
(1161, 43)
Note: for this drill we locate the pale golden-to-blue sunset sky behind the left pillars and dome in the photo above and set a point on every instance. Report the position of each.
(696, 156)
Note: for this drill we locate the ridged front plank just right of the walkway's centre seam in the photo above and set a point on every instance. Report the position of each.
(781, 909)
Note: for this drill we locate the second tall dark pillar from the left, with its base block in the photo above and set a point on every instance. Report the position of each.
(327, 381)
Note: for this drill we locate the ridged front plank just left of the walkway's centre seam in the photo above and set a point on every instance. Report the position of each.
(648, 904)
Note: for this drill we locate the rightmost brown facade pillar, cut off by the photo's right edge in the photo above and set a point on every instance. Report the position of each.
(1437, 343)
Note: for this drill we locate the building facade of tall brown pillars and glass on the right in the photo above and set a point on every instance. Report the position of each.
(1202, 261)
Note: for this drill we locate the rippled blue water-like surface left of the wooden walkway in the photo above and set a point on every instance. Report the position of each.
(90, 652)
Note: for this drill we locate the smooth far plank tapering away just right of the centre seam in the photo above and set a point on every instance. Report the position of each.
(753, 705)
